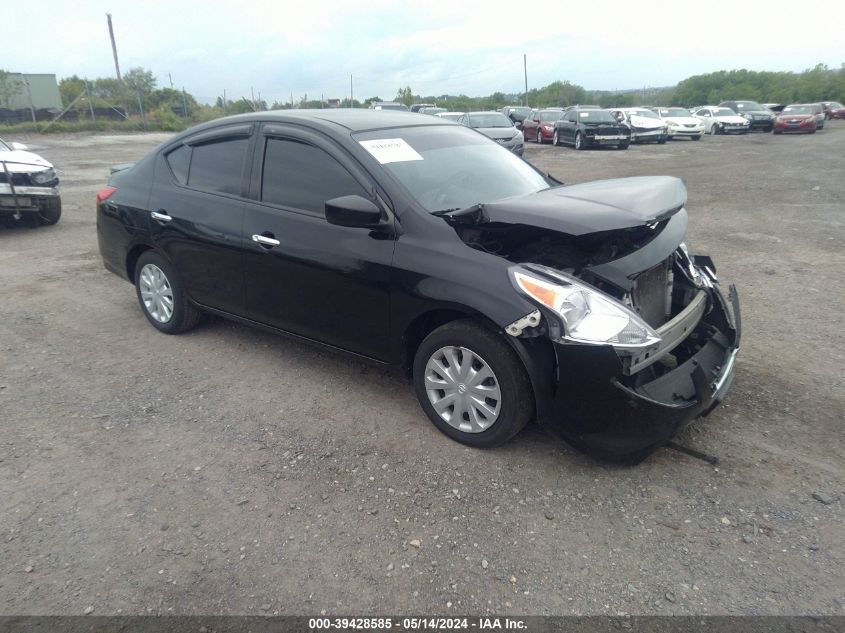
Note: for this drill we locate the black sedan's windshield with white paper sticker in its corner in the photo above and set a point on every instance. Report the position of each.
(450, 167)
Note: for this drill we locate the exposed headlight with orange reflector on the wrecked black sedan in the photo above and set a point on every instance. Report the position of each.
(588, 316)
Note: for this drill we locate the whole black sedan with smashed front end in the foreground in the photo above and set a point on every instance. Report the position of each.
(407, 240)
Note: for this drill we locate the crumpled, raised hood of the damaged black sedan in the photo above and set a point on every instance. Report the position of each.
(601, 205)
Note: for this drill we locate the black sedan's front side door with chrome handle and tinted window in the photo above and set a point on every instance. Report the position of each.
(303, 275)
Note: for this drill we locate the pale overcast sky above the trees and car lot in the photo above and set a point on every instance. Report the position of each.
(434, 46)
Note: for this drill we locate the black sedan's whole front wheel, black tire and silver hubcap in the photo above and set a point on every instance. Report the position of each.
(472, 385)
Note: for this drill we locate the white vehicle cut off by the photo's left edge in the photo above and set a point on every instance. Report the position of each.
(29, 187)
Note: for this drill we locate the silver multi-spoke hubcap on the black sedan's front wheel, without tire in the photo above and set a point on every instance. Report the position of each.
(463, 389)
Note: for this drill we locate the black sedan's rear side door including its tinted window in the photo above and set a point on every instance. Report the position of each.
(197, 209)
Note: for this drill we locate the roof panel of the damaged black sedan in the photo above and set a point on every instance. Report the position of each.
(330, 119)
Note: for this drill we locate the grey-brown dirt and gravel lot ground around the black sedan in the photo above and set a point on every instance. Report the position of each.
(232, 471)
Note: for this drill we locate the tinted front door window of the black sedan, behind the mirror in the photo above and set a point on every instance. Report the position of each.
(301, 176)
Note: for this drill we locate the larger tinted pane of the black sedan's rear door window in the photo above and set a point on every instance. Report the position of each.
(218, 166)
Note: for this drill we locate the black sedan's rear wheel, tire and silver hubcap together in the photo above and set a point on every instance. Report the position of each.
(162, 296)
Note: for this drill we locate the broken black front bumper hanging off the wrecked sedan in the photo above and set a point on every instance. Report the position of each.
(601, 410)
